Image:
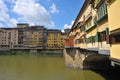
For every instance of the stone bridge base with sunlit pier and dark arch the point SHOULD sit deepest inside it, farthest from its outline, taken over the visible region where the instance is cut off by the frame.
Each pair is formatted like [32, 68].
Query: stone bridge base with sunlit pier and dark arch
[85, 59]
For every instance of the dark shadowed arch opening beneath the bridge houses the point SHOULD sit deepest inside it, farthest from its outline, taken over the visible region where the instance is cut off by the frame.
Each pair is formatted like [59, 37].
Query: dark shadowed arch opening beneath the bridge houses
[96, 61]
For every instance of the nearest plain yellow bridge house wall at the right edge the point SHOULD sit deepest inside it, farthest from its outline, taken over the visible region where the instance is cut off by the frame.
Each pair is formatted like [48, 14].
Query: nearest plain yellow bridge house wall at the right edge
[114, 28]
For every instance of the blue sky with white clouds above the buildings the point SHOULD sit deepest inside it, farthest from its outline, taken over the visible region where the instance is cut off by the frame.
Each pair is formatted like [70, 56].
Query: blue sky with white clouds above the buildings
[53, 14]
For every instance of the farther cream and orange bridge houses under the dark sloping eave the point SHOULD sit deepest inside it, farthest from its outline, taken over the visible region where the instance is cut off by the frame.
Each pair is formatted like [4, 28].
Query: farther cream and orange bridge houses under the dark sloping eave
[85, 27]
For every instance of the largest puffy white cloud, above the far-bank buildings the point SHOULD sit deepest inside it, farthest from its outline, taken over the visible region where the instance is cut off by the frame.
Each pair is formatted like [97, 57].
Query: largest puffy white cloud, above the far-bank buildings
[32, 12]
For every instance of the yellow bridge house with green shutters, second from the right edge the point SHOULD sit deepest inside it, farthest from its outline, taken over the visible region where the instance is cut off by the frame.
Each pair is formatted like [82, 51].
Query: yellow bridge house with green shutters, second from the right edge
[102, 35]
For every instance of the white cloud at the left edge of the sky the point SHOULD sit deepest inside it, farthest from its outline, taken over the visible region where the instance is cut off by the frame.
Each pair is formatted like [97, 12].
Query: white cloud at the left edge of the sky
[5, 17]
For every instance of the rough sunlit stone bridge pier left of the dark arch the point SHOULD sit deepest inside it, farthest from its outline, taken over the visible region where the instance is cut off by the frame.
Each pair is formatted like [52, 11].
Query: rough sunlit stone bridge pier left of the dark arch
[73, 58]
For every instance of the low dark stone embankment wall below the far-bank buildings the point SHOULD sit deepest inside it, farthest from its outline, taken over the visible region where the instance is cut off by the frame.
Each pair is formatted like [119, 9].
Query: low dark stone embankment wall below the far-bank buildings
[56, 52]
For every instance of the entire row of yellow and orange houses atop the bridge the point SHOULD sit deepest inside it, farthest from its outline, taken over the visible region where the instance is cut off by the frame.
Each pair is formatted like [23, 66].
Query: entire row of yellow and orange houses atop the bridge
[96, 28]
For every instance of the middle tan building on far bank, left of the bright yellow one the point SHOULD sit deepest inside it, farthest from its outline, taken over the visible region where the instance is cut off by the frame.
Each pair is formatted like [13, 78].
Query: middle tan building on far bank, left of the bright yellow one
[34, 37]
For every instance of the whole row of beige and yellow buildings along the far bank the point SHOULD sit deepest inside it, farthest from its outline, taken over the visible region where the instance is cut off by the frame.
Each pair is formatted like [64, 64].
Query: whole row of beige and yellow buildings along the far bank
[30, 37]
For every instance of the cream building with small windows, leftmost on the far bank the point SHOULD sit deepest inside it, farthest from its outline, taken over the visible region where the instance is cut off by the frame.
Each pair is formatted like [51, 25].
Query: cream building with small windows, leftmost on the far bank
[9, 37]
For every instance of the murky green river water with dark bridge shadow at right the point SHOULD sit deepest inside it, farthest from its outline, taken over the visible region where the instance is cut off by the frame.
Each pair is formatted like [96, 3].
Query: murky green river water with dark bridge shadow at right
[32, 67]
